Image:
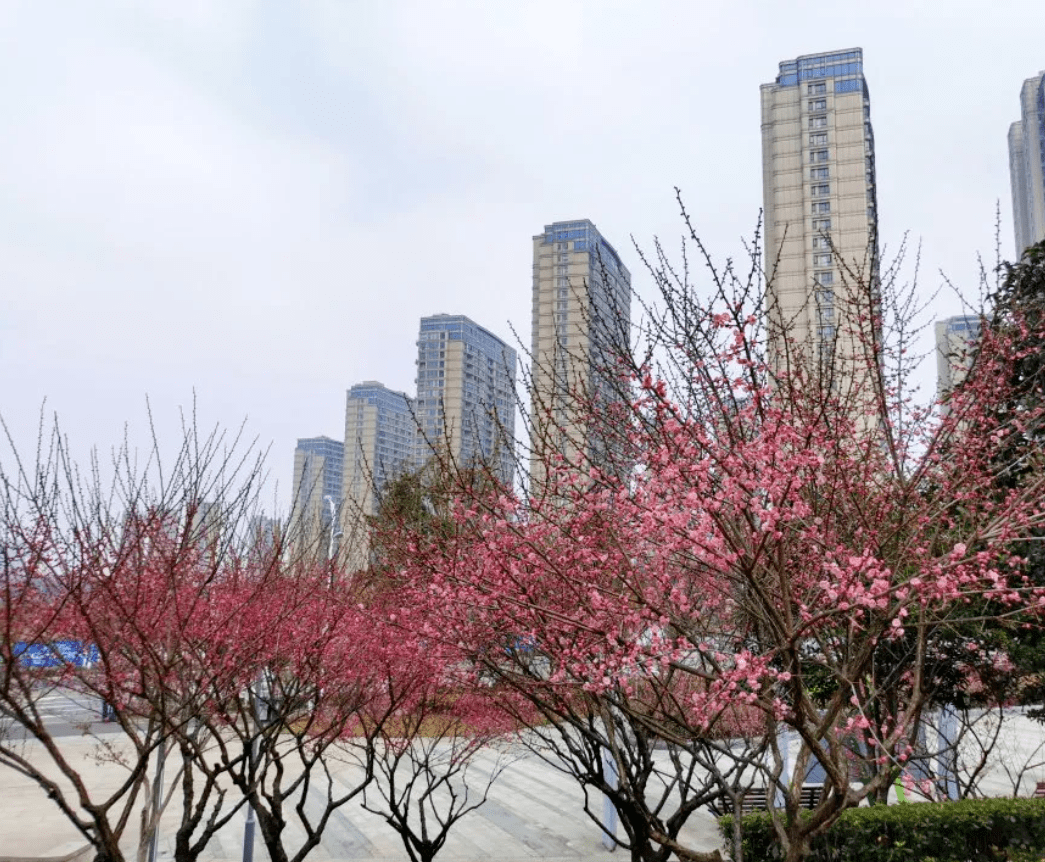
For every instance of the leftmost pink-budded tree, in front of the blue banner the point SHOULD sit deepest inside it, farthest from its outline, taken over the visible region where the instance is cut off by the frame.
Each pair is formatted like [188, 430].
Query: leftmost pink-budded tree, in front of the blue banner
[99, 579]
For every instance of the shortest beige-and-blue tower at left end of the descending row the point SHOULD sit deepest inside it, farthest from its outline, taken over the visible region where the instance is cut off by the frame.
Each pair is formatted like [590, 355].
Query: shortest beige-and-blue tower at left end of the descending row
[318, 468]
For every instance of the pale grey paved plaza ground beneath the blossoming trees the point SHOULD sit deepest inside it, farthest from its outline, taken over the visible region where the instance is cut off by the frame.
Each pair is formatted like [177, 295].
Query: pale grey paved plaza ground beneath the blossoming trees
[535, 812]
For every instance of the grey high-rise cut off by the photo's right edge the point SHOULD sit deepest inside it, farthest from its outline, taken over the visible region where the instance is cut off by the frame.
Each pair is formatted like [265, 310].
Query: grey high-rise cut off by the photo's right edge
[1027, 166]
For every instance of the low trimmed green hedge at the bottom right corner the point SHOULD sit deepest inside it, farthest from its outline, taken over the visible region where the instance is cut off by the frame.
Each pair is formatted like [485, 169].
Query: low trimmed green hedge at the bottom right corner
[944, 832]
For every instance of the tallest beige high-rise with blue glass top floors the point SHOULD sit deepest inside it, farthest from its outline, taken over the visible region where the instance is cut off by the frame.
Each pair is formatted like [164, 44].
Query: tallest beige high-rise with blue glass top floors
[821, 203]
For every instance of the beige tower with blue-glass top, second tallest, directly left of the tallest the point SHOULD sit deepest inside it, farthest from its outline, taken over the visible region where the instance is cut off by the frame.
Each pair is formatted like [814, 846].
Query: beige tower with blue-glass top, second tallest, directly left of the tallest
[582, 316]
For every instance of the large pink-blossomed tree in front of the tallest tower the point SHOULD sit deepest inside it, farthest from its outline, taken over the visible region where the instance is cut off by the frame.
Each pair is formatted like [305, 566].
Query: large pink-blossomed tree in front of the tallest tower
[776, 527]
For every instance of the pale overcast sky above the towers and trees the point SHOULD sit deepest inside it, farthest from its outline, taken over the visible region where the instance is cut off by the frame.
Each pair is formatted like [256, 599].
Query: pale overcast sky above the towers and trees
[258, 201]
